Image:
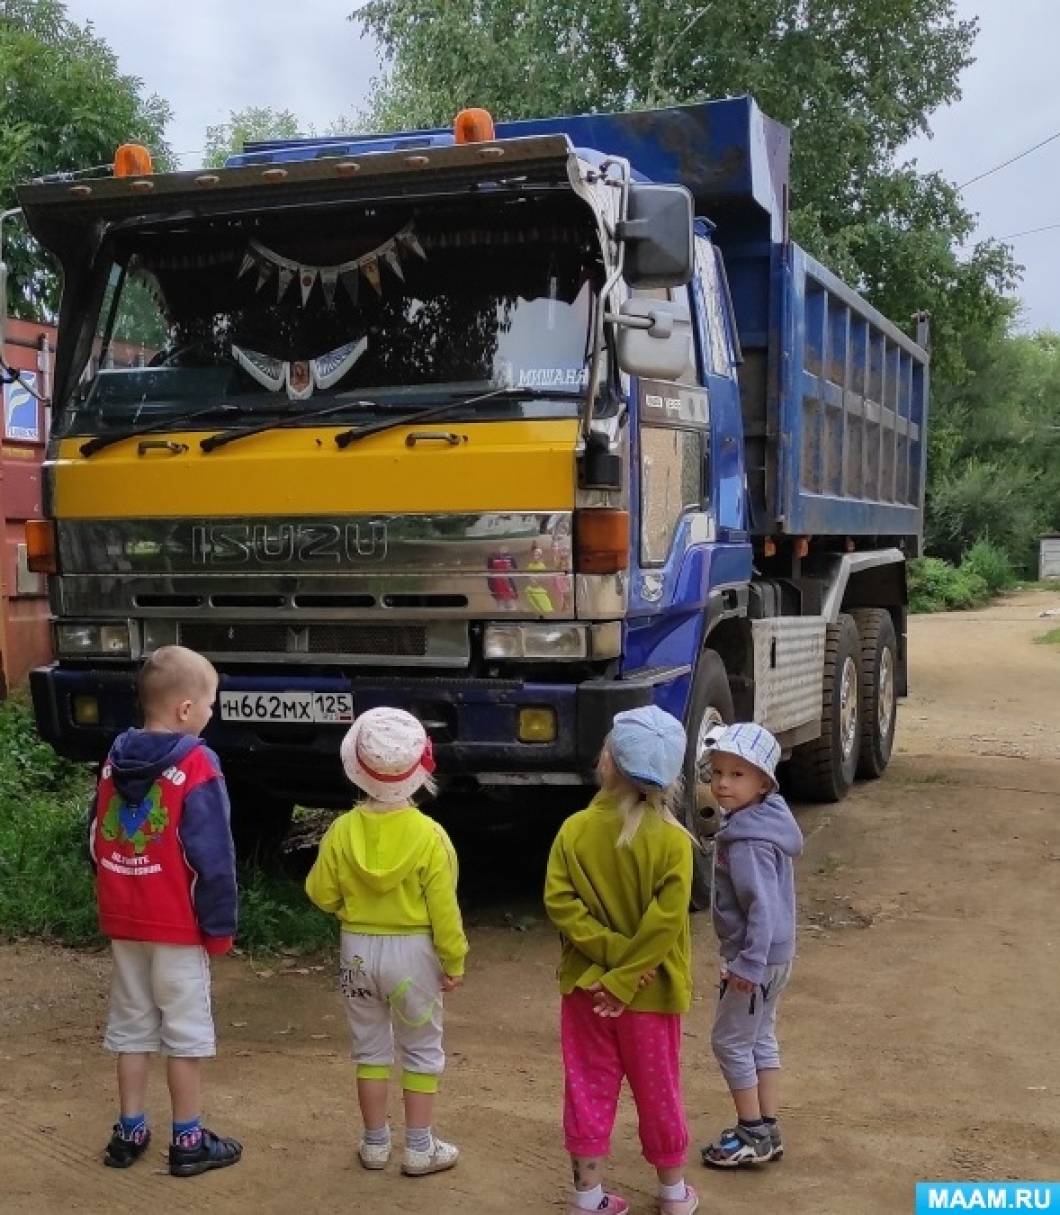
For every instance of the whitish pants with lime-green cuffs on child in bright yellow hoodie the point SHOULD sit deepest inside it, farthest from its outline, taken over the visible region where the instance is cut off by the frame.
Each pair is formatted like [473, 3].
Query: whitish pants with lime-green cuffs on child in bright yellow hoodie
[393, 994]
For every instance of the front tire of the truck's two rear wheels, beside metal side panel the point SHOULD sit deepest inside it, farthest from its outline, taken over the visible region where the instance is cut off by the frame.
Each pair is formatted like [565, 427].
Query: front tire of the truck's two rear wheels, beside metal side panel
[824, 771]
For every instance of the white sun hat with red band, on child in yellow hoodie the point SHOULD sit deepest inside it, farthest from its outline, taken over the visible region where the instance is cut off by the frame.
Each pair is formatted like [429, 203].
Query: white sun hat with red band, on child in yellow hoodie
[388, 755]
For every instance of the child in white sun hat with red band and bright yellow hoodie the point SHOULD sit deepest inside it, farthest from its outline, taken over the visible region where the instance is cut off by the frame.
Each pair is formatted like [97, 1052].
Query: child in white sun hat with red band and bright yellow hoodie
[390, 874]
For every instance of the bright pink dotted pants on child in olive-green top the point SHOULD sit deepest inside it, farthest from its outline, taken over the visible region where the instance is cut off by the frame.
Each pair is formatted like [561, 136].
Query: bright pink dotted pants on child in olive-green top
[597, 1053]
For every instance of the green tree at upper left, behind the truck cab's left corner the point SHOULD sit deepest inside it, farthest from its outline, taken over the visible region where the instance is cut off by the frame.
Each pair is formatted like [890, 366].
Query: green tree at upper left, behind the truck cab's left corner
[65, 108]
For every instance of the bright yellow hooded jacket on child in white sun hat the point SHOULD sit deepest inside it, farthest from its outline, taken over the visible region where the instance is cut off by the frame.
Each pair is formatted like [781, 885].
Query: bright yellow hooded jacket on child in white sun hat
[392, 874]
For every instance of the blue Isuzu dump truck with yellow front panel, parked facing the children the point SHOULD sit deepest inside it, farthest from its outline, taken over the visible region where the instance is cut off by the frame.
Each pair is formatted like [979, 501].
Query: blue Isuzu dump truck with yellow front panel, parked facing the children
[512, 426]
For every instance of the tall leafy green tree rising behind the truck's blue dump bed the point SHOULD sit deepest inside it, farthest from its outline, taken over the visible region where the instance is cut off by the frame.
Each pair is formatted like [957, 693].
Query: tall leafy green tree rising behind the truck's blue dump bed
[854, 81]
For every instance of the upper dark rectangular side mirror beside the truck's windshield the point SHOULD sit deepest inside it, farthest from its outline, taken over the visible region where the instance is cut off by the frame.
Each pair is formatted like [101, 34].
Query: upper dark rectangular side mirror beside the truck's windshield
[658, 236]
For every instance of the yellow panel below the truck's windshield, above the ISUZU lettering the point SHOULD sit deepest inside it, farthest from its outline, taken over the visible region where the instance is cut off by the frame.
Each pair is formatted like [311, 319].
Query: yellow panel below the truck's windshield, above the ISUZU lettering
[495, 466]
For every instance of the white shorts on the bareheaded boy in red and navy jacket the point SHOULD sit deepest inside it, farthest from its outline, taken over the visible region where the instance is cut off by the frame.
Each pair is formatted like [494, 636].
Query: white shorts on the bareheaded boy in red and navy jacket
[160, 1001]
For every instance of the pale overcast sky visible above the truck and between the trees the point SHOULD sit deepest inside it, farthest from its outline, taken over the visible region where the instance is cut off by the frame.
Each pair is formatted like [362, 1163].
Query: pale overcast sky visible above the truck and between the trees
[208, 58]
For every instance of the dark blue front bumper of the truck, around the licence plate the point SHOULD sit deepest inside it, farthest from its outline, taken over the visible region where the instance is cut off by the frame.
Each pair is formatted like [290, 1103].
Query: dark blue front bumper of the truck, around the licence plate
[473, 722]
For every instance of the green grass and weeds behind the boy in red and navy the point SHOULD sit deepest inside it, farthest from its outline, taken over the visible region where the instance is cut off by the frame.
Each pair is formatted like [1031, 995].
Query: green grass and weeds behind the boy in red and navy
[47, 886]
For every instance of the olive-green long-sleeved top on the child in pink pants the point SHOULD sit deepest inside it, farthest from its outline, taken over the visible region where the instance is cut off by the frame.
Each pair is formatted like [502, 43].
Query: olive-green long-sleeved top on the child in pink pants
[623, 912]
